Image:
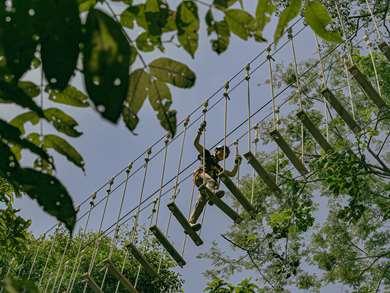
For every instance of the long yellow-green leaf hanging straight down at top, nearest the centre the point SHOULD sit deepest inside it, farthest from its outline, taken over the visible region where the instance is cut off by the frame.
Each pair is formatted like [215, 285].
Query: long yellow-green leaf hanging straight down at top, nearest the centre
[187, 23]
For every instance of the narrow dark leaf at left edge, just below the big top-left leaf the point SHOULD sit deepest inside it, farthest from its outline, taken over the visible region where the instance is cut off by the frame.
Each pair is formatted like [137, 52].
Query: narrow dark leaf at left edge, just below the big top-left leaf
[11, 92]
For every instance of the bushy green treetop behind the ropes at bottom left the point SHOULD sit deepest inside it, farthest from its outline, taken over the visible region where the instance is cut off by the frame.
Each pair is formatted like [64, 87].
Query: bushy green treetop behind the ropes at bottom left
[20, 263]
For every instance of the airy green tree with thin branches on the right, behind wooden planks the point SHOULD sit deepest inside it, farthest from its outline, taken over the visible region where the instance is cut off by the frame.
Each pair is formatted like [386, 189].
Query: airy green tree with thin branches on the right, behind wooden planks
[330, 227]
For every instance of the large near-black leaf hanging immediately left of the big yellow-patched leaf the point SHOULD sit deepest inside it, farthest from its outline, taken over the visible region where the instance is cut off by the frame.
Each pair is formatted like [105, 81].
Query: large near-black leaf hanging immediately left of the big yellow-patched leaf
[60, 37]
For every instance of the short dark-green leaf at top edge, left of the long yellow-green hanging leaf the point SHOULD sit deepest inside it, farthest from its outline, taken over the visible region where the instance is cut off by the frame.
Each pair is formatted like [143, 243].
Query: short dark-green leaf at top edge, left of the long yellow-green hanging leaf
[156, 15]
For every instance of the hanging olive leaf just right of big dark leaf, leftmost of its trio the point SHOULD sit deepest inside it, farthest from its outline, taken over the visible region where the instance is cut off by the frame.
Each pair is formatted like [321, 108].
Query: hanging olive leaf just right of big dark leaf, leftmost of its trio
[138, 91]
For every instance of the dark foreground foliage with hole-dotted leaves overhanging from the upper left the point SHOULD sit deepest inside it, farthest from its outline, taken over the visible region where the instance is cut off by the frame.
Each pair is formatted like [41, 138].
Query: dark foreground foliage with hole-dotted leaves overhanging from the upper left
[60, 39]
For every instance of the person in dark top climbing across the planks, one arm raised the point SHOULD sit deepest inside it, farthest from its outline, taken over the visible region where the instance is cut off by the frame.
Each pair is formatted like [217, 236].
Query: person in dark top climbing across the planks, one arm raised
[207, 174]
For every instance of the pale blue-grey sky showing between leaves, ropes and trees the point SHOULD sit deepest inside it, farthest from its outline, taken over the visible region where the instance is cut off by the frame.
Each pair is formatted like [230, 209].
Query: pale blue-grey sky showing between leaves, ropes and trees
[108, 148]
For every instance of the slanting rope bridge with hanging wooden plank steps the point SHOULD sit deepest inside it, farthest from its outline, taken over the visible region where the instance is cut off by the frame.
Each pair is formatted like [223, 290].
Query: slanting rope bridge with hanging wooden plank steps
[161, 209]
